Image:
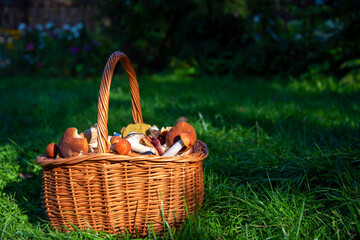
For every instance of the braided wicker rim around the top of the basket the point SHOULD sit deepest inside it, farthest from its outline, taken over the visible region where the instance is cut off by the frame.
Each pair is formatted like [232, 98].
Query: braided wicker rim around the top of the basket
[201, 151]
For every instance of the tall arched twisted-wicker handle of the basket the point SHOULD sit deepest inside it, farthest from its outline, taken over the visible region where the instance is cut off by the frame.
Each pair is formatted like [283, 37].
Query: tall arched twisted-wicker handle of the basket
[103, 104]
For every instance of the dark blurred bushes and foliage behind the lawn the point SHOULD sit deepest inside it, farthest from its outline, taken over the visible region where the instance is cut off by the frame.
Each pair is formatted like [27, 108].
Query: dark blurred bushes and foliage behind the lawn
[264, 37]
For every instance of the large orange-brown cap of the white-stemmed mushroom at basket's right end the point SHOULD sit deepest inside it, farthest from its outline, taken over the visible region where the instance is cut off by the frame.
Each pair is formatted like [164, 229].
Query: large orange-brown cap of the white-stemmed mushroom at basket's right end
[174, 134]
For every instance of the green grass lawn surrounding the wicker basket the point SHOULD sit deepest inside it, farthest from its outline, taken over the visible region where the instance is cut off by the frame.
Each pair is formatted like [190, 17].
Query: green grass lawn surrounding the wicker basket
[284, 155]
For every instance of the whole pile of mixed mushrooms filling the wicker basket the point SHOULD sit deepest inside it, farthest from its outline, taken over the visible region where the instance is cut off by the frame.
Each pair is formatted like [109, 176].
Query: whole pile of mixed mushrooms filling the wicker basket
[140, 138]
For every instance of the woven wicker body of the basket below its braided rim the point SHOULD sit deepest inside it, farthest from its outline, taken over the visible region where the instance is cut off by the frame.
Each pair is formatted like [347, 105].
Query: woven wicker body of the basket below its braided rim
[120, 197]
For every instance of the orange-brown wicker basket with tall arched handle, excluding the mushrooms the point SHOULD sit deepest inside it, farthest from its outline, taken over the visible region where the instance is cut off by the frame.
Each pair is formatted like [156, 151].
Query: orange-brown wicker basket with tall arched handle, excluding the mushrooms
[115, 193]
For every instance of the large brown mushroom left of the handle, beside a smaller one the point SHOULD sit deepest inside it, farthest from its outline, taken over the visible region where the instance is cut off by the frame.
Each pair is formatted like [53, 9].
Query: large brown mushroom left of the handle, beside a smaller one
[72, 144]
